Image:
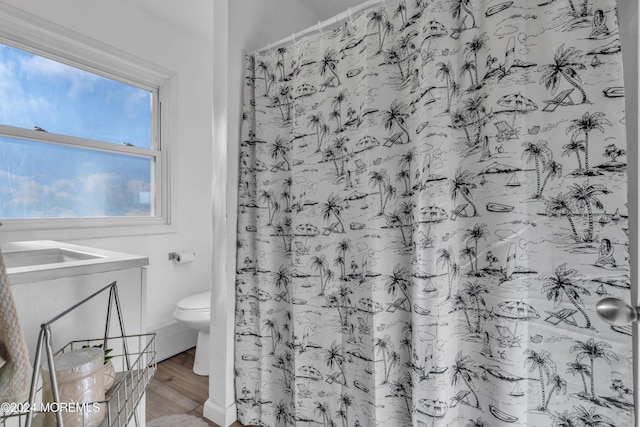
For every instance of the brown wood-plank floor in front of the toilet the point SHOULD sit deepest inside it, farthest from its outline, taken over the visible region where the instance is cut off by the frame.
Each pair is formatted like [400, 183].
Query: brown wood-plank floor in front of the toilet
[175, 389]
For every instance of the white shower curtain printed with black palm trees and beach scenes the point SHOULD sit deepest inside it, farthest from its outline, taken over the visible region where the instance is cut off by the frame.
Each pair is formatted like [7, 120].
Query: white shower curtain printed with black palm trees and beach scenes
[432, 200]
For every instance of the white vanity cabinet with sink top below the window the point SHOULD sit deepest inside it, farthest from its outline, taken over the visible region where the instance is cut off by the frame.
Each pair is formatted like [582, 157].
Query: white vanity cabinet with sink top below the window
[47, 278]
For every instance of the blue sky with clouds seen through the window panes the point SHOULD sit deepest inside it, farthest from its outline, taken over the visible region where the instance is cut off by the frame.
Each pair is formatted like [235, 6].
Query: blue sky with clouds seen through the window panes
[44, 180]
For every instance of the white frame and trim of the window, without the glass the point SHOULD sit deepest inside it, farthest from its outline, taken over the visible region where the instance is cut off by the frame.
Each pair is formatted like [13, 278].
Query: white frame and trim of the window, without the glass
[27, 32]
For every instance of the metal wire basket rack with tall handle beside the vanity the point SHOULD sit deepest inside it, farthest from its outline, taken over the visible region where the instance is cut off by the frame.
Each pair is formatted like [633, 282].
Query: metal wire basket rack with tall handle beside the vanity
[133, 358]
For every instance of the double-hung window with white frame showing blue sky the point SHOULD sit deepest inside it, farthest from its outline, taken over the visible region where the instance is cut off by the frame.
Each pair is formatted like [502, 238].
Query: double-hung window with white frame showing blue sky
[80, 134]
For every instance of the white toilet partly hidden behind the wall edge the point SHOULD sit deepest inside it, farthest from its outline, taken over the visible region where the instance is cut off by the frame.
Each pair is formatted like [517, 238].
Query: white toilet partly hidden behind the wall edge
[195, 312]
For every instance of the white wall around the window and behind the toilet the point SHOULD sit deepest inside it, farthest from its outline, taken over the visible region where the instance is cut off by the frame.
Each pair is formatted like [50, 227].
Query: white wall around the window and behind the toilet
[148, 29]
